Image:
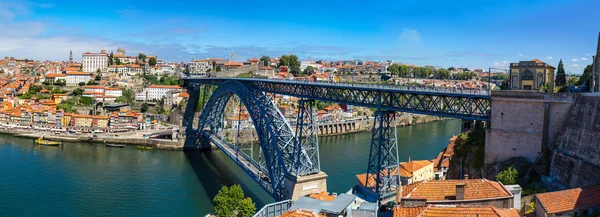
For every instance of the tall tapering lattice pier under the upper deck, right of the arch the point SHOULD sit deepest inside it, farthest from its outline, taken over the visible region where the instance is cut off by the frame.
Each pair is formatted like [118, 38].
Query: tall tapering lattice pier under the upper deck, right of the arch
[382, 172]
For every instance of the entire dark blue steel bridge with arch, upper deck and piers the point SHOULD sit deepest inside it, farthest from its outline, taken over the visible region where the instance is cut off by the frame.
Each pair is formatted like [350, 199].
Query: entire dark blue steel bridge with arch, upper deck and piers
[286, 155]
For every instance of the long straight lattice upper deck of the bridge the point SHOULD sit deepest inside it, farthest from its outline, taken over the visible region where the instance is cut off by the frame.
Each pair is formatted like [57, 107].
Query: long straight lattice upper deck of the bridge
[466, 106]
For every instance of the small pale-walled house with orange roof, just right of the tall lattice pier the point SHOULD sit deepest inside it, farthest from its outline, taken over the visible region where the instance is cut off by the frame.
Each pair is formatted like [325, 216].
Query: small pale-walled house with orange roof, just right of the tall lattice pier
[416, 171]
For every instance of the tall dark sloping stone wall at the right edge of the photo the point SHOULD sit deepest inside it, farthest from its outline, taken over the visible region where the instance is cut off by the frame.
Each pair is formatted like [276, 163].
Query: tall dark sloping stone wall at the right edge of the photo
[575, 159]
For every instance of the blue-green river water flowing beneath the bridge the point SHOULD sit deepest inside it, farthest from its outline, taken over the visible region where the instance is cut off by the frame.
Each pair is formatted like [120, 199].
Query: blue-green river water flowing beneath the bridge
[79, 179]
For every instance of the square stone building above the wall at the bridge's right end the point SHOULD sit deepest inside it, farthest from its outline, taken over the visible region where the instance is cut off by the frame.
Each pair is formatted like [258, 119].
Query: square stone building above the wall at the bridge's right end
[531, 75]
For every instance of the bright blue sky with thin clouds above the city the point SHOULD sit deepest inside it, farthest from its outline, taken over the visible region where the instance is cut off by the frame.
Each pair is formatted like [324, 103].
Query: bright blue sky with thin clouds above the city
[467, 33]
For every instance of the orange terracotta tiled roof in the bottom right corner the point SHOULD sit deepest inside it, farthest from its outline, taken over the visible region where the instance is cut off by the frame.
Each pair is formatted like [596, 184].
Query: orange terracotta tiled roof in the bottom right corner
[577, 198]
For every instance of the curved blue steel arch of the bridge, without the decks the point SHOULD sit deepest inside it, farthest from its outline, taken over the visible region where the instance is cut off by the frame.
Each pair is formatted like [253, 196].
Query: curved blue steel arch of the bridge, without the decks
[281, 149]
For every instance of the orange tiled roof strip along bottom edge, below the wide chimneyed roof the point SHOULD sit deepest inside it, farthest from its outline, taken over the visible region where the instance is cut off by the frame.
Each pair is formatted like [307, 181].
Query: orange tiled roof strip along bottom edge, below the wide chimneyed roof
[453, 211]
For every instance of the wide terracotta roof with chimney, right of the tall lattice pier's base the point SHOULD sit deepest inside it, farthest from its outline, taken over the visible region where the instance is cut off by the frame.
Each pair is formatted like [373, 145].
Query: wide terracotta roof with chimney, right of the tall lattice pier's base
[436, 190]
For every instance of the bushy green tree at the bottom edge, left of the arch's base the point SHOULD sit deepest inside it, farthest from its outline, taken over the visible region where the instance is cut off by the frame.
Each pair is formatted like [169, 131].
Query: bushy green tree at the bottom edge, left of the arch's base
[230, 202]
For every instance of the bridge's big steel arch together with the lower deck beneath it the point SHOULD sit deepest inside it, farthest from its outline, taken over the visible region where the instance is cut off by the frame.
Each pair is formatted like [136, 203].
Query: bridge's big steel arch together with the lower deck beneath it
[284, 156]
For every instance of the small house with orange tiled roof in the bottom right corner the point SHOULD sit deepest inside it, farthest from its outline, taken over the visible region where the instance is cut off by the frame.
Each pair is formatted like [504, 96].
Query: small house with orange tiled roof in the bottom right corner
[571, 202]
